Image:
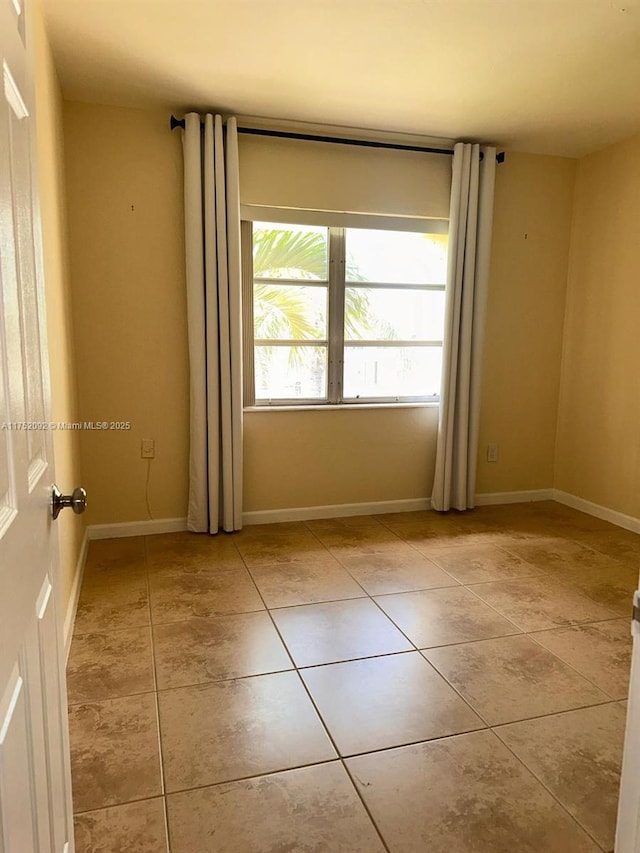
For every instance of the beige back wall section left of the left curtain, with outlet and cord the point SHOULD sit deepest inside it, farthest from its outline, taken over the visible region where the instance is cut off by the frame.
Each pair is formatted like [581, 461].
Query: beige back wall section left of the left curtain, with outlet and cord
[124, 185]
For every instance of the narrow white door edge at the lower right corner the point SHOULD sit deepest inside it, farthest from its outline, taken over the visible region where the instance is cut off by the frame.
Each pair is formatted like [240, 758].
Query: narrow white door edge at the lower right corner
[628, 831]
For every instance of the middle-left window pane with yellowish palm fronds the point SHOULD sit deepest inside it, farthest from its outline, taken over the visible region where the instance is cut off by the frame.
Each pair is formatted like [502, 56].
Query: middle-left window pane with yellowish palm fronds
[289, 312]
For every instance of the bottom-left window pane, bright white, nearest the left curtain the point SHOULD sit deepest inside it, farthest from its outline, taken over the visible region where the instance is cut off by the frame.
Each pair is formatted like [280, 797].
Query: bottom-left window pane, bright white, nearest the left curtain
[288, 373]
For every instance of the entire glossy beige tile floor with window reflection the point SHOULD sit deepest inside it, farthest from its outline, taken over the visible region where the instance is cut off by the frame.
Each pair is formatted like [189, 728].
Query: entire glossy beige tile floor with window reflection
[403, 683]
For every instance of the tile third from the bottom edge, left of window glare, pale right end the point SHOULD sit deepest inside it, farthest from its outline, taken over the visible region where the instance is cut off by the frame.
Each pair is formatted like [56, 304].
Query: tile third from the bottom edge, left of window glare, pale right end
[201, 650]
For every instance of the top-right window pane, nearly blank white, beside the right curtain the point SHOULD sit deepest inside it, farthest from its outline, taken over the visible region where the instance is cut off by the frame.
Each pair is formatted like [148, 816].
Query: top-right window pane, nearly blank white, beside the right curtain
[400, 257]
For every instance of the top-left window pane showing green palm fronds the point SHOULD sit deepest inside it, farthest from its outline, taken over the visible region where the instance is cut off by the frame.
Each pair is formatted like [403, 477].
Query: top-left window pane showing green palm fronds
[289, 251]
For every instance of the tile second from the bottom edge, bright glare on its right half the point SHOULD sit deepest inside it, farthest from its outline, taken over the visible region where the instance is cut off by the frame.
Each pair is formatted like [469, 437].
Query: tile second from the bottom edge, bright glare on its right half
[233, 729]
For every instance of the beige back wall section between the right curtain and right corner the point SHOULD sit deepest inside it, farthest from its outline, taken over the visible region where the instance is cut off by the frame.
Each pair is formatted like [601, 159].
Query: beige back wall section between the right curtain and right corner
[521, 369]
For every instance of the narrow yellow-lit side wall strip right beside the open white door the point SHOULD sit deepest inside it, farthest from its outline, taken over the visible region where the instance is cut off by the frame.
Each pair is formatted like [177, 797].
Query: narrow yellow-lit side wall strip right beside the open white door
[60, 333]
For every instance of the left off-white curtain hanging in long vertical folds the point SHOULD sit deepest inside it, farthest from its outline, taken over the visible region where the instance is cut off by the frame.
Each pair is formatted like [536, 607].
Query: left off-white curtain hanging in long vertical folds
[212, 245]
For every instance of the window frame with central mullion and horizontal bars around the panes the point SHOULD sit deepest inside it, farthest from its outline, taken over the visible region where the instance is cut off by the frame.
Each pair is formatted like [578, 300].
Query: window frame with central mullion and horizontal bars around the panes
[336, 224]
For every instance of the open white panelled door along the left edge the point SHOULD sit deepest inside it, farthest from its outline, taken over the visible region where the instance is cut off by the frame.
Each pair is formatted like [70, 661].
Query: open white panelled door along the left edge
[35, 790]
